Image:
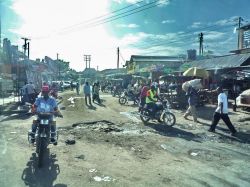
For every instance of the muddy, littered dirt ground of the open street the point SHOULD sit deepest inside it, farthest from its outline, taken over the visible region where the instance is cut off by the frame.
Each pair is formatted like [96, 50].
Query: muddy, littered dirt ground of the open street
[113, 148]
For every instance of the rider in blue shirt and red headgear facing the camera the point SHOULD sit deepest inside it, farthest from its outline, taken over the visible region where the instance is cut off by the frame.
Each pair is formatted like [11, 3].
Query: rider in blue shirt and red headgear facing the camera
[45, 103]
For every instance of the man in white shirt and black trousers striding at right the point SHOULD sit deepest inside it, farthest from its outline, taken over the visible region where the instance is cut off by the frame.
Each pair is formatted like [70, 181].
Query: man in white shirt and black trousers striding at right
[222, 112]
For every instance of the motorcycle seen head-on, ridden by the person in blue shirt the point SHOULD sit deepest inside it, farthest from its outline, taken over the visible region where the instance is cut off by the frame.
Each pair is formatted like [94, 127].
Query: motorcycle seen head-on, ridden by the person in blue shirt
[43, 135]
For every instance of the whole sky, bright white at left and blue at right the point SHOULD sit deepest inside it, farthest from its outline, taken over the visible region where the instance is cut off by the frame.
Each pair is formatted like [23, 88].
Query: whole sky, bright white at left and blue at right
[97, 27]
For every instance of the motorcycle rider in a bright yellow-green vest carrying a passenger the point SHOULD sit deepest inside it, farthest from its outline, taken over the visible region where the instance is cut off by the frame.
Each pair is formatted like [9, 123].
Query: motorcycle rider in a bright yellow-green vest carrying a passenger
[151, 99]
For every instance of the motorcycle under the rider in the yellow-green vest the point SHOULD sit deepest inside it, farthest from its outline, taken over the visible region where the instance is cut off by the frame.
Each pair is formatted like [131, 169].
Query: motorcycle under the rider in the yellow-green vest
[162, 114]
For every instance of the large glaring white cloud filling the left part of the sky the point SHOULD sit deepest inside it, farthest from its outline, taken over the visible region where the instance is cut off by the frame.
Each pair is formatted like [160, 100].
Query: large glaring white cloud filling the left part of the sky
[44, 21]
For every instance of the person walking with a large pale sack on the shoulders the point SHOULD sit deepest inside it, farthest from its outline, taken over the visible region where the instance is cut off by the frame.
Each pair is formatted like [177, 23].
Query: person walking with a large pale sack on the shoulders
[192, 102]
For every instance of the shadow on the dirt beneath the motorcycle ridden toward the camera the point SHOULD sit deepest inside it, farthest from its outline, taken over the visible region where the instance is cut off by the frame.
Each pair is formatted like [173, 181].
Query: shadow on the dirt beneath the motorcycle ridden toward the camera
[45, 176]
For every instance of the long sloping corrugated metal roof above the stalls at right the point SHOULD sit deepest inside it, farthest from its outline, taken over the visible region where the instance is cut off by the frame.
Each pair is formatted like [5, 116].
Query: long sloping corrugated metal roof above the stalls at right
[222, 62]
